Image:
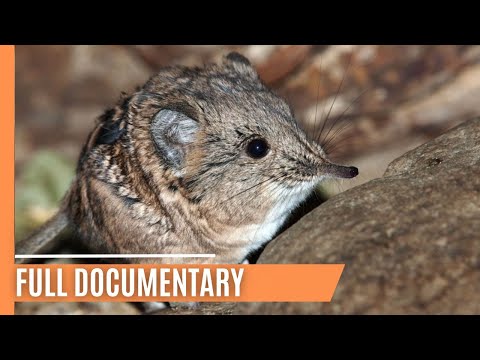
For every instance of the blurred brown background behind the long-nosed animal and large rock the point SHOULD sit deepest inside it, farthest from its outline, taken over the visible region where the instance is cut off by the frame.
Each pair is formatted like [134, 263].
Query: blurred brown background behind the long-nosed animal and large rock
[386, 101]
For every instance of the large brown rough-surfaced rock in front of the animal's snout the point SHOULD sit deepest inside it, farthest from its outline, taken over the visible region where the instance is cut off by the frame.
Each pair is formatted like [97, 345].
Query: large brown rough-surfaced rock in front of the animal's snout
[410, 240]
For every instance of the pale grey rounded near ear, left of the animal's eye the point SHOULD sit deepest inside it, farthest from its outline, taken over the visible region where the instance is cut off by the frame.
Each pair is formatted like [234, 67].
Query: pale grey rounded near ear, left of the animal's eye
[172, 132]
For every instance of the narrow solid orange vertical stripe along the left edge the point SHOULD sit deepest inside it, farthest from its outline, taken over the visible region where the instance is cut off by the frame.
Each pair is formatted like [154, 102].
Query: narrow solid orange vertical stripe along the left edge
[7, 134]
